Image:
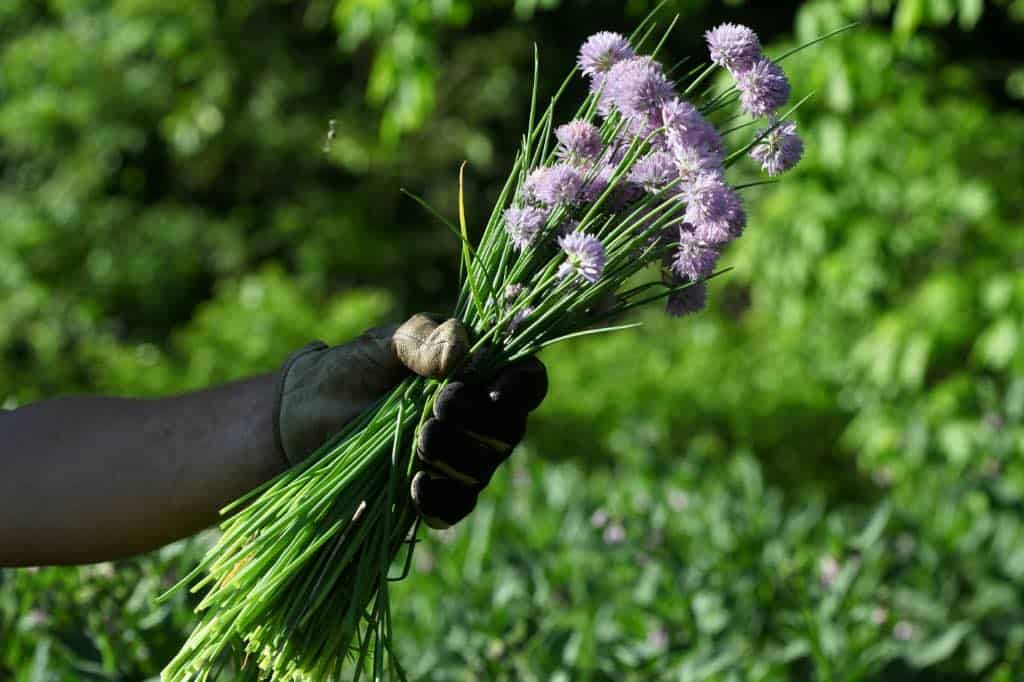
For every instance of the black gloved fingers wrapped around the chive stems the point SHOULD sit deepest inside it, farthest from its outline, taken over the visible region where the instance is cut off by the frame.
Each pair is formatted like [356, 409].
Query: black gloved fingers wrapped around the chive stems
[475, 429]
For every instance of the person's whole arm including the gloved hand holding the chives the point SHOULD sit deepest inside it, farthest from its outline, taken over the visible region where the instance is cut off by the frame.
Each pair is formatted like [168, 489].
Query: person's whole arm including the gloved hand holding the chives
[90, 479]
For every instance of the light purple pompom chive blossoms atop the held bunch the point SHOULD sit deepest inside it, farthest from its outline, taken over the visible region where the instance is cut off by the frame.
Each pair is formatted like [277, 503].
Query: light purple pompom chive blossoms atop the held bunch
[679, 155]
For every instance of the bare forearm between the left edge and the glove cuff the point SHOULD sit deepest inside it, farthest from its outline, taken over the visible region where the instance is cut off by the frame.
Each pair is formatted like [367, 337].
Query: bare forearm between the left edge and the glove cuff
[91, 479]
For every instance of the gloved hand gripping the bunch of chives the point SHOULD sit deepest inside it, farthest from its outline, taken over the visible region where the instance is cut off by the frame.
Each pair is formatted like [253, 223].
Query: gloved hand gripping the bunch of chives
[322, 389]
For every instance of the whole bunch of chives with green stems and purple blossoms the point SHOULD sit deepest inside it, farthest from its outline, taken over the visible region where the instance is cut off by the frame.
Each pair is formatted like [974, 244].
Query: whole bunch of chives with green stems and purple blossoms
[635, 183]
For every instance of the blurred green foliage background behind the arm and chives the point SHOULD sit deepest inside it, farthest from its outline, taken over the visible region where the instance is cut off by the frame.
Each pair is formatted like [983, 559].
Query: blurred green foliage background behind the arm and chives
[819, 479]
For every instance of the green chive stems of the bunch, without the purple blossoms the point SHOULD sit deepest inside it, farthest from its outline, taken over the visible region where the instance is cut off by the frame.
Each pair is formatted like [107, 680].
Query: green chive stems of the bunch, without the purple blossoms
[297, 586]
